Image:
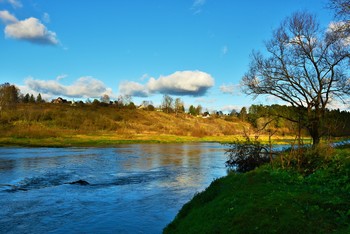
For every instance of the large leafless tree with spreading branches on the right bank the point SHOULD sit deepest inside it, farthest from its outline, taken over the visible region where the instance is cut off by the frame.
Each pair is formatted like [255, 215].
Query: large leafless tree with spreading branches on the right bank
[304, 67]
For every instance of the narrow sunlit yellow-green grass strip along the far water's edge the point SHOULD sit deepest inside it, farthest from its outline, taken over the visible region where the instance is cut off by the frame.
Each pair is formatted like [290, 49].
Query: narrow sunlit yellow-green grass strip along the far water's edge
[108, 140]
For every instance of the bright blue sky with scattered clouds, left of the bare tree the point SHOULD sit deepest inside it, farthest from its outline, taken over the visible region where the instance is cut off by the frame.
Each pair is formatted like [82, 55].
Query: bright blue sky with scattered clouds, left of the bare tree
[196, 50]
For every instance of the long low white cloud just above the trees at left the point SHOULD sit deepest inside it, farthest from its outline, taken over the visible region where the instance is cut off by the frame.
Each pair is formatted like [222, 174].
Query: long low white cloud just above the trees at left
[84, 87]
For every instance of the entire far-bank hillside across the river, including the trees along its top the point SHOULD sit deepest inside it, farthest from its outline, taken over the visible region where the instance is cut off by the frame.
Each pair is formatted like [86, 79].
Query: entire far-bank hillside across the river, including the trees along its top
[26, 116]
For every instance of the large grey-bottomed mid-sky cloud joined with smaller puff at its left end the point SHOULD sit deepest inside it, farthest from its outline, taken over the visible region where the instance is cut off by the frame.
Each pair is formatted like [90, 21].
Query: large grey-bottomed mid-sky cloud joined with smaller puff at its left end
[180, 83]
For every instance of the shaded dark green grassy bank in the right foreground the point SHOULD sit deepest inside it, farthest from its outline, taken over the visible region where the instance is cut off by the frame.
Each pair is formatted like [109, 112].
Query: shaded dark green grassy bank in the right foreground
[270, 200]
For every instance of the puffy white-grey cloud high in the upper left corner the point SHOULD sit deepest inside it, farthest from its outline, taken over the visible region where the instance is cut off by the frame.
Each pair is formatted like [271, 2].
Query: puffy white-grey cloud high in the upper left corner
[30, 29]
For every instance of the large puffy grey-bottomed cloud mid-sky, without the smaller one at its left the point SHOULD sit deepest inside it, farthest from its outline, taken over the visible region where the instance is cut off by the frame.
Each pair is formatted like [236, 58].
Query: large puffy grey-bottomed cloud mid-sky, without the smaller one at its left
[193, 83]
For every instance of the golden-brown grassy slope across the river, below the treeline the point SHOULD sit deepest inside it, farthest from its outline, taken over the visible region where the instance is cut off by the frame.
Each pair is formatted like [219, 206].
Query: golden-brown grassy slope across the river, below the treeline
[54, 121]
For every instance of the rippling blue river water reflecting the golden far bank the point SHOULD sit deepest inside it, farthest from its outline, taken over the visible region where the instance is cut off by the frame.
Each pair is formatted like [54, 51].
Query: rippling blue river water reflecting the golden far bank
[137, 188]
